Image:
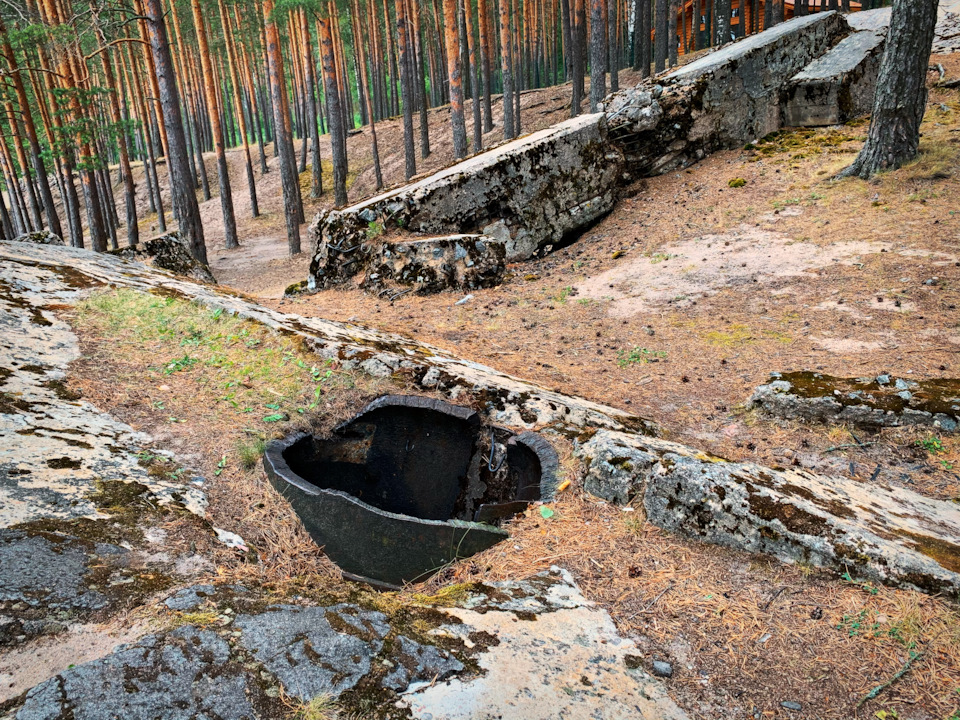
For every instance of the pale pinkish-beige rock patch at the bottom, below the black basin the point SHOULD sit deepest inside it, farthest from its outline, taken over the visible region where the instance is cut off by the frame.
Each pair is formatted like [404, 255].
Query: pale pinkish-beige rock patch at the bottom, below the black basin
[569, 662]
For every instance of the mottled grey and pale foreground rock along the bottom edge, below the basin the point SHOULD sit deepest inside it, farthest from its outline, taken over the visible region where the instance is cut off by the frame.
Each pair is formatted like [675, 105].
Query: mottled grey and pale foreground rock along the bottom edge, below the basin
[521, 650]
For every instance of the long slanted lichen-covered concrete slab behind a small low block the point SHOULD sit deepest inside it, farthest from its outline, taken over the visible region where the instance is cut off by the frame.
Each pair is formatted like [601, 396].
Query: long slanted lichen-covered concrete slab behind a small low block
[530, 193]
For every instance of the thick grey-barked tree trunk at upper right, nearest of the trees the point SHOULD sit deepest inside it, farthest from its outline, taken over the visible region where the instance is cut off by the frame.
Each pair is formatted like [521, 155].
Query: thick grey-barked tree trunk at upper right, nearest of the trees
[901, 98]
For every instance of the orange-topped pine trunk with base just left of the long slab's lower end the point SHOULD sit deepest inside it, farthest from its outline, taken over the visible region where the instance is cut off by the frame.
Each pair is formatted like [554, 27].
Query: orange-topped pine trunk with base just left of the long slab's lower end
[283, 140]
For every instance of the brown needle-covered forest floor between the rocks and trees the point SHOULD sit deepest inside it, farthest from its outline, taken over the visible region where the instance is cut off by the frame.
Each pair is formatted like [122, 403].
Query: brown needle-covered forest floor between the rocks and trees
[674, 307]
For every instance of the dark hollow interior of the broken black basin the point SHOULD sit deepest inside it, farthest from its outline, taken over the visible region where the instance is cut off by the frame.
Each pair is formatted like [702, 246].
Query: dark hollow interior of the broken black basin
[426, 462]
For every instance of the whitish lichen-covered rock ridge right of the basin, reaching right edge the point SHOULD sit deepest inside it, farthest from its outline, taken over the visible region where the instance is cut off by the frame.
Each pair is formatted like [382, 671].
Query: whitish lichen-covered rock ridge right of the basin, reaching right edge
[874, 532]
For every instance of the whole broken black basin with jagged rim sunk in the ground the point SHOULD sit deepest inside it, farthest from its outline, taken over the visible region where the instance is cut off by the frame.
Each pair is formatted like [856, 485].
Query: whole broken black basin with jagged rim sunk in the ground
[409, 485]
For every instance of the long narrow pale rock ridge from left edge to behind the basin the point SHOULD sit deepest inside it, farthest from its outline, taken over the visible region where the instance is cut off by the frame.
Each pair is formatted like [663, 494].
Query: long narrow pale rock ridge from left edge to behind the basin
[64, 273]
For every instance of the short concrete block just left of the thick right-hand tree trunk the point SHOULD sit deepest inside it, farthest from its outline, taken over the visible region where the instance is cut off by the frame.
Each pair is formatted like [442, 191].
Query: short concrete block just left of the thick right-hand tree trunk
[840, 85]
